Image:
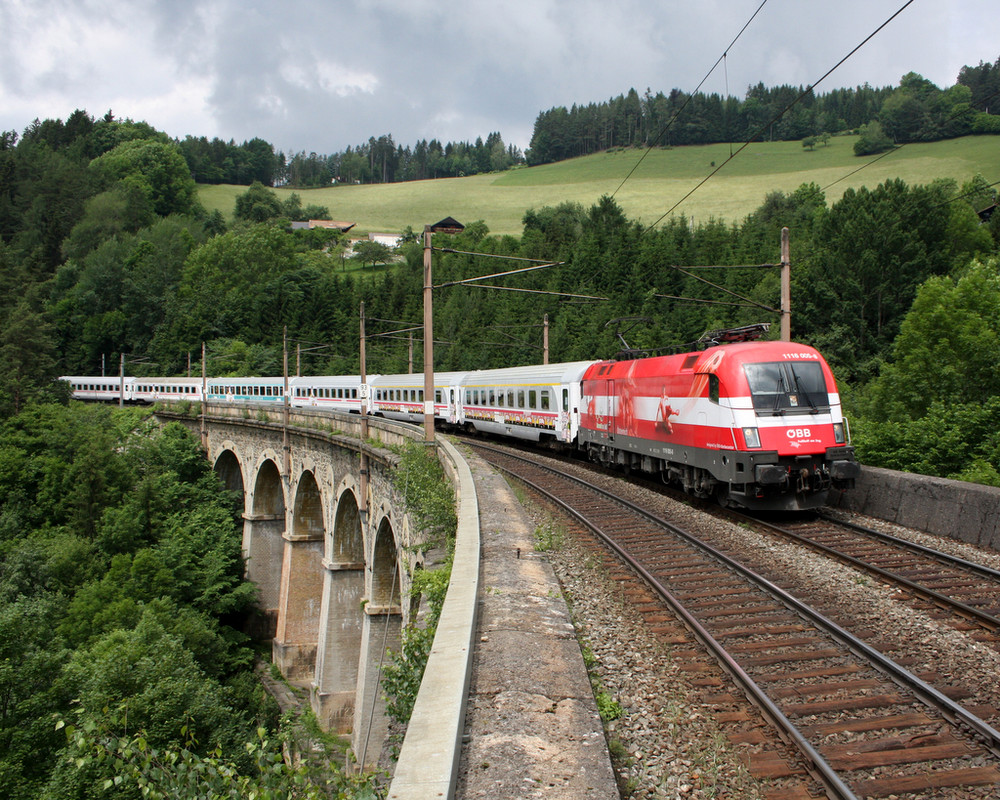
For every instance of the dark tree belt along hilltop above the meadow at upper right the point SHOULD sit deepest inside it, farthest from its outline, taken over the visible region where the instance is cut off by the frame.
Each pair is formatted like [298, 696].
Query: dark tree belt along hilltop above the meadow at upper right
[916, 110]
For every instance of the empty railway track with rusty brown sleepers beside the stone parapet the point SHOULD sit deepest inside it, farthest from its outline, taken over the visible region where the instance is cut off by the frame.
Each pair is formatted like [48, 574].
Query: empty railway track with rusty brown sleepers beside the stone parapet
[864, 726]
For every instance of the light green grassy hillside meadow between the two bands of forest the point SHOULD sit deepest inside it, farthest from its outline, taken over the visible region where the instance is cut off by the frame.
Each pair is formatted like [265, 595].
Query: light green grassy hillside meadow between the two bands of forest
[663, 178]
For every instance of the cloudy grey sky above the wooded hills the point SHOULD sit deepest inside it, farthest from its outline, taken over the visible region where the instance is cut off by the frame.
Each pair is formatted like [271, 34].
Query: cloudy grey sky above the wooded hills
[321, 76]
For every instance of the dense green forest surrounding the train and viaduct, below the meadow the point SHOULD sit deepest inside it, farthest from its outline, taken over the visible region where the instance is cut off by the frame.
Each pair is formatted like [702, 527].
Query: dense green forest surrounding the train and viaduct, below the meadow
[121, 592]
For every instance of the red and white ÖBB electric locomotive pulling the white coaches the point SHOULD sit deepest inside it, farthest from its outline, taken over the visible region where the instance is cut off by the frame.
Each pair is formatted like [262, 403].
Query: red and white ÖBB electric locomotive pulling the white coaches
[755, 424]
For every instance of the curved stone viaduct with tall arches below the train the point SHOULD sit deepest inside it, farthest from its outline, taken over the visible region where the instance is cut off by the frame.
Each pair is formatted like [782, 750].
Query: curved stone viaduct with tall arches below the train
[329, 544]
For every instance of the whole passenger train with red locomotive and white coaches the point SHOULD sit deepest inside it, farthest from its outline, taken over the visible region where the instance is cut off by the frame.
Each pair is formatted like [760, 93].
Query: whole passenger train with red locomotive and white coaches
[748, 423]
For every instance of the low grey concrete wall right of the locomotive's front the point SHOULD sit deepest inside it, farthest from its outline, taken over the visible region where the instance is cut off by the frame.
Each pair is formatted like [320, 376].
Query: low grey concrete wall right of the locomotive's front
[965, 511]
